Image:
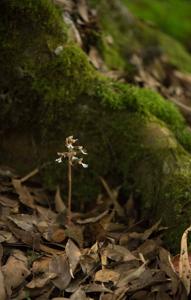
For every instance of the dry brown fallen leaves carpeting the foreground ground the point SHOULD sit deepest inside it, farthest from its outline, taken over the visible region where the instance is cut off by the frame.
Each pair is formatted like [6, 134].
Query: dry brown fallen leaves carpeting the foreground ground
[101, 255]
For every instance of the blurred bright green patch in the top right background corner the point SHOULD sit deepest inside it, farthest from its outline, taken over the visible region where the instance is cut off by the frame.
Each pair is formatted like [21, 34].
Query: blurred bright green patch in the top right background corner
[173, 17]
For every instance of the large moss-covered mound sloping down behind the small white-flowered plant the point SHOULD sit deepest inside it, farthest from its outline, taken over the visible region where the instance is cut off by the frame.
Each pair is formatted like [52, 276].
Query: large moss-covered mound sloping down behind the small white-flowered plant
[134, 137]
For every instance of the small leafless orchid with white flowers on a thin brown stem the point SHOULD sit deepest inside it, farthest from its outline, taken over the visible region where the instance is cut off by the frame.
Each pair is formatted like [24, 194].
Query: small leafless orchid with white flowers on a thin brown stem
[72, 156]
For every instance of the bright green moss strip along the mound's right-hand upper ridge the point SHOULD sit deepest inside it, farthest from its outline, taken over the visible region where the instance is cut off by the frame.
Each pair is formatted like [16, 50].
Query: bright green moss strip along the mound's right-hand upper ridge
[145, 102]
